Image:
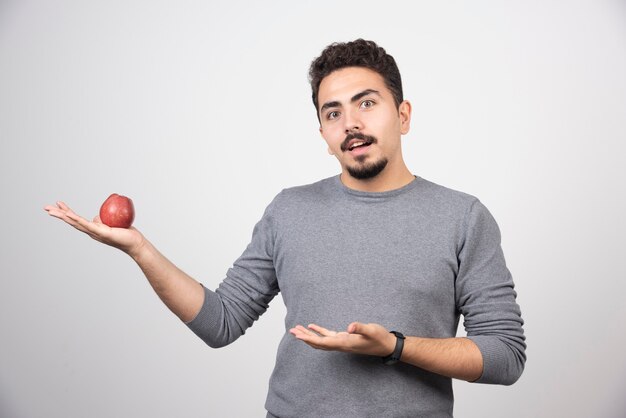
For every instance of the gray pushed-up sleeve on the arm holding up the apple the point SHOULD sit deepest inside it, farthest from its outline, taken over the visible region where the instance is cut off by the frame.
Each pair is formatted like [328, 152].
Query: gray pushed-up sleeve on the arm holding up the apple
[244, 294]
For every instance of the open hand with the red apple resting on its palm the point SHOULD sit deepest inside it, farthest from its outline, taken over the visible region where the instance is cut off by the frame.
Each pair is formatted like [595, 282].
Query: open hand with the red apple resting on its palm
[128, 240]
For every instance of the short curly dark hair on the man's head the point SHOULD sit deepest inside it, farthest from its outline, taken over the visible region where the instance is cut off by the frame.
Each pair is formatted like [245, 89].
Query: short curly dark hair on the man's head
[358, 53]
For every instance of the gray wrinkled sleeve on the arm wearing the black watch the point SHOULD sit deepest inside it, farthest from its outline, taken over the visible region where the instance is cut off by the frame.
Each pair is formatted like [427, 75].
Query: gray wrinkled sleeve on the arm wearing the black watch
[487, 299]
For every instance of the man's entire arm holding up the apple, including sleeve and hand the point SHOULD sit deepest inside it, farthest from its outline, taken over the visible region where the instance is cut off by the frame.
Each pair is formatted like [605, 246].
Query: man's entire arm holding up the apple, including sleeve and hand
[217, 317]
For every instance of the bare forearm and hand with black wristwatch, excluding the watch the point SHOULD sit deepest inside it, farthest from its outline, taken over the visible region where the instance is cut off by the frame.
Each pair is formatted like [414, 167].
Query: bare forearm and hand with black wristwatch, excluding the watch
[459, 358]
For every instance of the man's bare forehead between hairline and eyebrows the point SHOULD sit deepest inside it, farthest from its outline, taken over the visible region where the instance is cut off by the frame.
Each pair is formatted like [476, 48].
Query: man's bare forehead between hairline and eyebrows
[341, 84]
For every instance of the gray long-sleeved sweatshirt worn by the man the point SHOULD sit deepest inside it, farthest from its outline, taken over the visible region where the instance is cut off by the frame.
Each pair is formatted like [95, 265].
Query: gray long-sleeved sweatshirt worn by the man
[412, 259]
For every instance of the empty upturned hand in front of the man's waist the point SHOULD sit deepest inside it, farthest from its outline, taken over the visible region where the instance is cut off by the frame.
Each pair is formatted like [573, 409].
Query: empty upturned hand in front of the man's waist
[370, 339]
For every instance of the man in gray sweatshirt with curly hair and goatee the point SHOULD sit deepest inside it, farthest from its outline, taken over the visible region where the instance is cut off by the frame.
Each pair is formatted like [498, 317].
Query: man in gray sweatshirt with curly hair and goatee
[372, 250]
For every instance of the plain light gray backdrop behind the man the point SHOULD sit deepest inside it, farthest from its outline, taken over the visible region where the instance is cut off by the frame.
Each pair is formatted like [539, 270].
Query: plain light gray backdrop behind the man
[200, 111]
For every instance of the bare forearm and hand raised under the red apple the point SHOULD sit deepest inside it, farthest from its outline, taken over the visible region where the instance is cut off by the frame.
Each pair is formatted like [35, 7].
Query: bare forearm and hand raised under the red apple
[181, 294]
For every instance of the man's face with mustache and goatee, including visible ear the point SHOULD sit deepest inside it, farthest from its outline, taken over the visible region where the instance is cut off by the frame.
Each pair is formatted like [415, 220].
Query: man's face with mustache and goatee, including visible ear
[361, 123]
